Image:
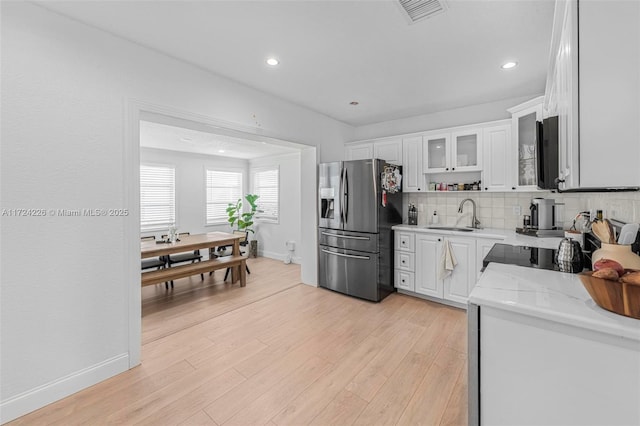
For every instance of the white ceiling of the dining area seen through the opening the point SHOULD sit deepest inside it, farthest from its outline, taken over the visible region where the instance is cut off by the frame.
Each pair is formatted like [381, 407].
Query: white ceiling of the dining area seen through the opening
[173, 138]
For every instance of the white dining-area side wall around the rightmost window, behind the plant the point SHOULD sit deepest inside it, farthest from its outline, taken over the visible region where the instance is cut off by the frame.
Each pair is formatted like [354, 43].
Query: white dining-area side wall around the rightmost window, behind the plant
[273, 236]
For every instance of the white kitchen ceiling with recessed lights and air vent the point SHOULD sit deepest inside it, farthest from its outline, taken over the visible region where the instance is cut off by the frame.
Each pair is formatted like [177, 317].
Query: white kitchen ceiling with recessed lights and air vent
[334, 52]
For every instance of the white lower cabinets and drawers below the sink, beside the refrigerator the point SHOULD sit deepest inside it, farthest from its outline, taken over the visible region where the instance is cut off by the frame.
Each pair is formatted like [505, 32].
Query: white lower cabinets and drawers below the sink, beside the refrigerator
[419, 272]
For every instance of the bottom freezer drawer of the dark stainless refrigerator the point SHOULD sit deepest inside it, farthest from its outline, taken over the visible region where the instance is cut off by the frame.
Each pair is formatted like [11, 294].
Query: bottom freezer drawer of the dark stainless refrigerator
[350, 272]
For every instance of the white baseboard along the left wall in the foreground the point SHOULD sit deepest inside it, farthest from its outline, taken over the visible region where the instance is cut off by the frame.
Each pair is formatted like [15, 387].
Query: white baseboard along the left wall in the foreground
[40, 396]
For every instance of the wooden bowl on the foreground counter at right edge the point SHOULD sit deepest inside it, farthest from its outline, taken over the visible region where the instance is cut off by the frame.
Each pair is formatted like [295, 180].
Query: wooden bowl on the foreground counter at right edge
[615, 296]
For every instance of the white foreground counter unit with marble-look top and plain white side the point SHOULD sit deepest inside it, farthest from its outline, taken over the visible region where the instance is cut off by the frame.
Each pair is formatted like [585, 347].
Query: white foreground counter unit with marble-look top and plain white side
[542, 352]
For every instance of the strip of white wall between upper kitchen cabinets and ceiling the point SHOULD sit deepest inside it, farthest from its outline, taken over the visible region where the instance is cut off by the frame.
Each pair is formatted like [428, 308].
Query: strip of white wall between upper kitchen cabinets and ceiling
[440, 120]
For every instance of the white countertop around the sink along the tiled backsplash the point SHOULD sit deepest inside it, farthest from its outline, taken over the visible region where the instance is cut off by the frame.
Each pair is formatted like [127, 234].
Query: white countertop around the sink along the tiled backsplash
[508, 236]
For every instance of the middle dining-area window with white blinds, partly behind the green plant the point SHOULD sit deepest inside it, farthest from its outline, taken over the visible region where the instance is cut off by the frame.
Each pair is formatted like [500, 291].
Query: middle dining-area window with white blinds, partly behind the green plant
[223, 187]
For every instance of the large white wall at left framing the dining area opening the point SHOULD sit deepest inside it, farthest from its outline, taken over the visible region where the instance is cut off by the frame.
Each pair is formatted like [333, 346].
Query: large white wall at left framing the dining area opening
[66, 88]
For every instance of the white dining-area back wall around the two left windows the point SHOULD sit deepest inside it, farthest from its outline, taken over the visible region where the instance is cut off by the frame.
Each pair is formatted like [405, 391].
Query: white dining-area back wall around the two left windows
[190, 185]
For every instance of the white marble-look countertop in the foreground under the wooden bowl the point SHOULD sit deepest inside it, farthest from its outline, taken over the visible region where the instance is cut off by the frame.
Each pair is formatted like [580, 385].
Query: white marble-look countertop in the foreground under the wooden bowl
[550, 295]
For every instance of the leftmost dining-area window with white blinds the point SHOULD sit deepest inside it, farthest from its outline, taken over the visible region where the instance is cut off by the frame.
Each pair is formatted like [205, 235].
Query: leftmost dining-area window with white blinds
[157, 197]
